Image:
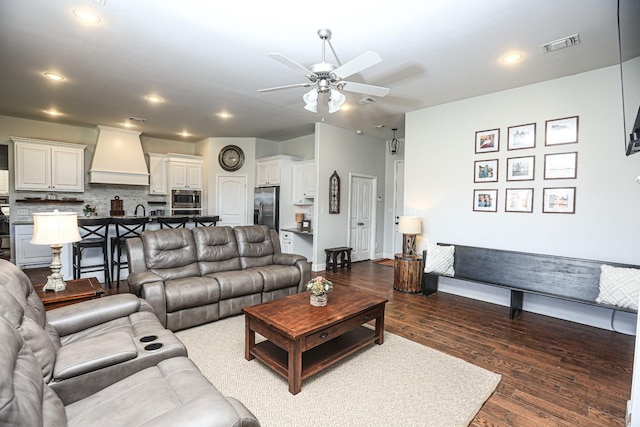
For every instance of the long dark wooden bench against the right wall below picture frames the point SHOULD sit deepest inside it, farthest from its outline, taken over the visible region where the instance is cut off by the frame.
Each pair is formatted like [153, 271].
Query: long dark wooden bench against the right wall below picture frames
[570, 279]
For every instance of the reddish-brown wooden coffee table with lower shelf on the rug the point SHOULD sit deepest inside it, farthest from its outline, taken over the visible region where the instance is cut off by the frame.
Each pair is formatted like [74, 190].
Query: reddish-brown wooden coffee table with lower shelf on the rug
[302, 340]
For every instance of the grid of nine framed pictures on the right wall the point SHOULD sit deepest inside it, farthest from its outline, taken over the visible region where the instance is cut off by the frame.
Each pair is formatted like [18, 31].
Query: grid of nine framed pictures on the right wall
[517, 165]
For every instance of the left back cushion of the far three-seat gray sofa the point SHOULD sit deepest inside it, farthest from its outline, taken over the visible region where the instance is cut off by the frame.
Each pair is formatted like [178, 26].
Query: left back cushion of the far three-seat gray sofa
[170, 253]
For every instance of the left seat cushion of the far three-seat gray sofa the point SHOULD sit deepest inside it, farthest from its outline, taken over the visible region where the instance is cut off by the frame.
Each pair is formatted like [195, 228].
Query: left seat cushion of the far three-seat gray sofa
[191, 292]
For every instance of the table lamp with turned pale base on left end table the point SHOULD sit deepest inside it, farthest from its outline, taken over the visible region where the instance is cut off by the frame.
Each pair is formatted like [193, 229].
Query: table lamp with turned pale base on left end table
[55, 229]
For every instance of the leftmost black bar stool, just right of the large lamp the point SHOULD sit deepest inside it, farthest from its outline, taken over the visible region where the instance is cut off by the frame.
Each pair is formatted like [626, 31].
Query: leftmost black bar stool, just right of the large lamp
[94, 233]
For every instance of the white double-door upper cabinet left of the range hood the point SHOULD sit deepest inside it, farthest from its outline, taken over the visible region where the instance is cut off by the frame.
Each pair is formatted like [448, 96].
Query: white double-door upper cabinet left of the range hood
[48, 165]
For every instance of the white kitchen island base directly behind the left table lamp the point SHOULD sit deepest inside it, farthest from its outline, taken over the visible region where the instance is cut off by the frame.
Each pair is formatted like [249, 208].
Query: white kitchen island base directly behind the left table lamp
[32, 256]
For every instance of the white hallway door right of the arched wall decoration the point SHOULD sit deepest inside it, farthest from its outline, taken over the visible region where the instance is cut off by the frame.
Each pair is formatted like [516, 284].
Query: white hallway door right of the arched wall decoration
[362, 217]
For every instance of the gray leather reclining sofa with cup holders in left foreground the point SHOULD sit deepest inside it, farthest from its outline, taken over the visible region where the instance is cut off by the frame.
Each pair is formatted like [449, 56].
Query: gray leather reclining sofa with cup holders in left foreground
[153, 388]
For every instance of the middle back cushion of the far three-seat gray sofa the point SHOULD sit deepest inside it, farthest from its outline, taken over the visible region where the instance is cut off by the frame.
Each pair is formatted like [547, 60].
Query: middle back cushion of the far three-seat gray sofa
[217, 249]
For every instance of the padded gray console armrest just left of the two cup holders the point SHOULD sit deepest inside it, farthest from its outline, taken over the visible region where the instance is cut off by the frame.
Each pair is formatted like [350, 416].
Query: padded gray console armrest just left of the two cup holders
[91, 354]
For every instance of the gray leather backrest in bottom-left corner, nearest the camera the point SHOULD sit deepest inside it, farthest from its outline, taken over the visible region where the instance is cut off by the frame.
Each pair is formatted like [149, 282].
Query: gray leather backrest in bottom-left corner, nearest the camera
[25, 399]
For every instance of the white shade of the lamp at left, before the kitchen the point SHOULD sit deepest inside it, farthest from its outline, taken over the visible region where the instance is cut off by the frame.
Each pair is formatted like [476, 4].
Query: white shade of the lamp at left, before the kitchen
[55, 228]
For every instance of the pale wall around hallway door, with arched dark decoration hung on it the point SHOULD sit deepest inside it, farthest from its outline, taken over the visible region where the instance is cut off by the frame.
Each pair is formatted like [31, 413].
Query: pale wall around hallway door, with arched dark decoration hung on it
[345, 152]
